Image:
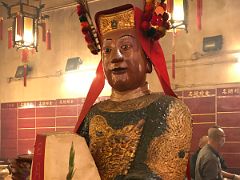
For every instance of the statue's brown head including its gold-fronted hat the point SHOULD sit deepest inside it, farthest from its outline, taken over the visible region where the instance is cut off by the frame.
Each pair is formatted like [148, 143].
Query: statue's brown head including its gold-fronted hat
[124, 62]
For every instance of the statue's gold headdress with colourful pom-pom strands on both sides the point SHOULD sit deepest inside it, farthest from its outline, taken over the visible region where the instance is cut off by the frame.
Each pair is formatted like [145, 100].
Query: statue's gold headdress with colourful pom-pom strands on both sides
[154, 21]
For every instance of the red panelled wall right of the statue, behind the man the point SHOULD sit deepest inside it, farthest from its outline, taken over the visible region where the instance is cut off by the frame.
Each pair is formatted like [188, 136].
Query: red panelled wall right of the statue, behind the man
[221, 107]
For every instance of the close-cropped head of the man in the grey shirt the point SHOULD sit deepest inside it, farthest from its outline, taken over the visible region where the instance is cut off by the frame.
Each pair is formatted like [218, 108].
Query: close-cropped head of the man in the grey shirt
[216, 136]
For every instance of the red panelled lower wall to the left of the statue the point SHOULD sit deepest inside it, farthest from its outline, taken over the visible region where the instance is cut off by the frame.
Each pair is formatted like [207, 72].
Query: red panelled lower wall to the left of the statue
[21, 121]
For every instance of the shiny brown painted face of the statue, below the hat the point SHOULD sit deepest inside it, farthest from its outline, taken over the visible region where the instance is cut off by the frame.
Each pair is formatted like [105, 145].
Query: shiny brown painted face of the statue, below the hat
[124, 62]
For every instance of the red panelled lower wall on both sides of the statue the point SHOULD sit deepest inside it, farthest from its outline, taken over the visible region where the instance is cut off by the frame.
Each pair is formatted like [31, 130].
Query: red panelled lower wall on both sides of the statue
[219, 106]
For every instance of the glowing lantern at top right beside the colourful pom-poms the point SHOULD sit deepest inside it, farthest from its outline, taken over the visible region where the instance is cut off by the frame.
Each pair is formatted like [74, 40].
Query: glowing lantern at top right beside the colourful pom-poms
[178, 13]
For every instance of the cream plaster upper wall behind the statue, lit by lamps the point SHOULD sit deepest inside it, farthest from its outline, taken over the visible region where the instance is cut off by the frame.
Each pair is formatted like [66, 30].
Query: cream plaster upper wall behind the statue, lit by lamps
[220, 17]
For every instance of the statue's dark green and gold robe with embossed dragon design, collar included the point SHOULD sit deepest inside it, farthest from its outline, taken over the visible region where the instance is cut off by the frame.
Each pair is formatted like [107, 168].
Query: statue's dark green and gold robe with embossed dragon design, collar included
[144, 138]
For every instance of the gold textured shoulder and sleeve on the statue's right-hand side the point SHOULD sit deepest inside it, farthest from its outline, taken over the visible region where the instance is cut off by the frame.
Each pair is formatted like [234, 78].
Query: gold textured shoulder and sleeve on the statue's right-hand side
[168, 153]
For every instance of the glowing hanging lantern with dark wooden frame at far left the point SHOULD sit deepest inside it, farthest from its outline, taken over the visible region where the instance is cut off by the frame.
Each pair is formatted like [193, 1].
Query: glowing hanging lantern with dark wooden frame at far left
[25, 24]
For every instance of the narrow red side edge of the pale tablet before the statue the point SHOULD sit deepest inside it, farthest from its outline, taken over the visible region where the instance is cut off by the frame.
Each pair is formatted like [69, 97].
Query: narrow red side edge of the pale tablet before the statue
[38, 158]
